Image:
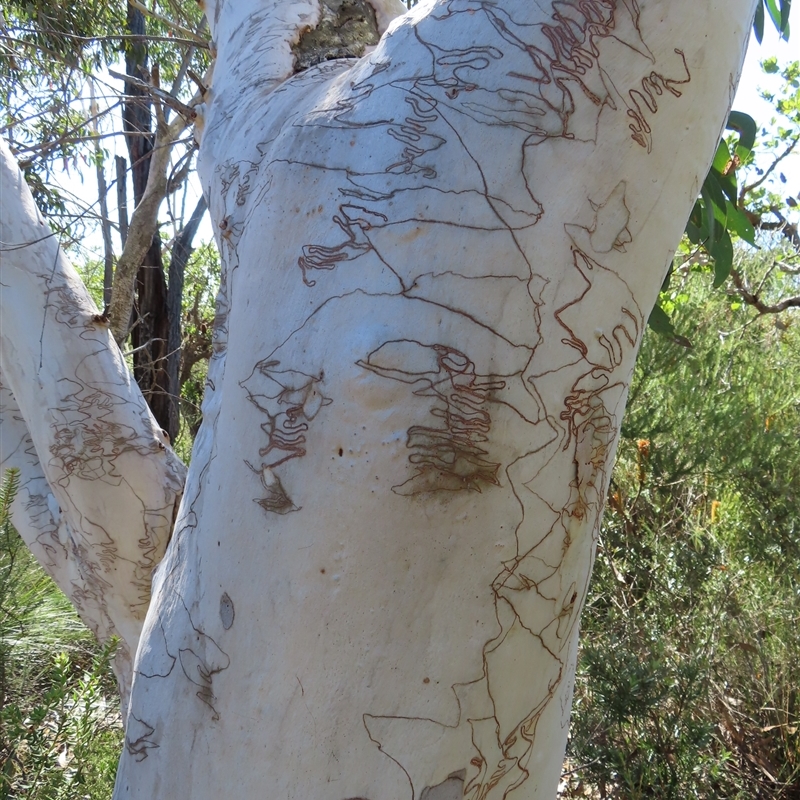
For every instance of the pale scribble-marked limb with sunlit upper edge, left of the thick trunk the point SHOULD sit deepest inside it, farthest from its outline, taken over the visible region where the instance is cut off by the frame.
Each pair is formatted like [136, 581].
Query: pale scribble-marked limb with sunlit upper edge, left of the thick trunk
[99, 487]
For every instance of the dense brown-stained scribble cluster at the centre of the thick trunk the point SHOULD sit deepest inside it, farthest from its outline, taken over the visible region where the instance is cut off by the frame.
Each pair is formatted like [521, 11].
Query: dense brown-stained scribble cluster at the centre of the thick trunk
[452, 456]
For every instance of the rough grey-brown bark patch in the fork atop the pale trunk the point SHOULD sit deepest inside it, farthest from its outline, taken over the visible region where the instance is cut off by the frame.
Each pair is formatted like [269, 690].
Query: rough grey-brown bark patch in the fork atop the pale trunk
[345, 28]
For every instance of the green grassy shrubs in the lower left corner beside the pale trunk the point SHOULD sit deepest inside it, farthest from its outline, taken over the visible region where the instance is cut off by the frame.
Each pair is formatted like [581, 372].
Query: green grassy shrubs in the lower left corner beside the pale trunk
[60, 731]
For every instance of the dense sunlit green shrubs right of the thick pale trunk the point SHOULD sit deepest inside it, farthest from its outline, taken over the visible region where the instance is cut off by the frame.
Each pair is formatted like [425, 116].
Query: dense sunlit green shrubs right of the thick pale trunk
[687, 684]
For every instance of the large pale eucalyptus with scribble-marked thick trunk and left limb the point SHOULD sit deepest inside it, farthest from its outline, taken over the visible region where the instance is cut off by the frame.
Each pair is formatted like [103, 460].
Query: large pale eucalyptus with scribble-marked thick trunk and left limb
[438, 261]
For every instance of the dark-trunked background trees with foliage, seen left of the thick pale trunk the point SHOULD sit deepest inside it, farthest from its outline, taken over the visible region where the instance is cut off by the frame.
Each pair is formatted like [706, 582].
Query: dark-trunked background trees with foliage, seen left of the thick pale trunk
[62, 103]
